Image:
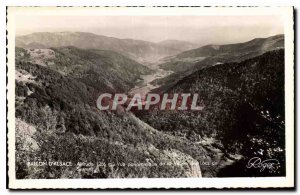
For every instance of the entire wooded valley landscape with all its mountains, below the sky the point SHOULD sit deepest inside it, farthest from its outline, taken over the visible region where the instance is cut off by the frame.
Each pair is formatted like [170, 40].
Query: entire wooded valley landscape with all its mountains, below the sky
[60, 75]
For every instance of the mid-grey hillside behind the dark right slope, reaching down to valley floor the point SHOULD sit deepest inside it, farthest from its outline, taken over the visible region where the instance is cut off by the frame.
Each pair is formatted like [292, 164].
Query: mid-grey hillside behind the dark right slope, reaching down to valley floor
[190, 61]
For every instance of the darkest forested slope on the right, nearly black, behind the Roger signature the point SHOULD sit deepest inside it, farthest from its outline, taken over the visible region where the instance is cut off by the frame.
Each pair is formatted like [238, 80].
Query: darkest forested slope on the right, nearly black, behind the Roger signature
[243, 108]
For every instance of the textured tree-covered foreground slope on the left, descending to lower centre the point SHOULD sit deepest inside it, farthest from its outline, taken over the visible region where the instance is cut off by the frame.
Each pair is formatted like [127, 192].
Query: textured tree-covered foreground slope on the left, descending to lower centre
[57, 120]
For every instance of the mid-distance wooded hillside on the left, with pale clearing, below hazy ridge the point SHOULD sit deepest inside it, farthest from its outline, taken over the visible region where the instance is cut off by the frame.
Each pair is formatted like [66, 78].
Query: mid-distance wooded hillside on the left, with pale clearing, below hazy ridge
[97, 68]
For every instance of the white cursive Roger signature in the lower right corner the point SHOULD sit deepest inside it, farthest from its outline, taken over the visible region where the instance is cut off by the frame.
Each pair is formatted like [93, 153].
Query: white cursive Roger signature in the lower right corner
[270, 164]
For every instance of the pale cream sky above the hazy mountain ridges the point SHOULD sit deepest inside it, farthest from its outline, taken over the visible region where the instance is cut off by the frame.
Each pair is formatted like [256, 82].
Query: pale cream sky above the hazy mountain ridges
[197, 29]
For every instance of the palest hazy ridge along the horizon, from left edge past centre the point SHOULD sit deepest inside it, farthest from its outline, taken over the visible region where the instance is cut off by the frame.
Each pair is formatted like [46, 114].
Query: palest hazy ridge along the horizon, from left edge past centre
[141, 51]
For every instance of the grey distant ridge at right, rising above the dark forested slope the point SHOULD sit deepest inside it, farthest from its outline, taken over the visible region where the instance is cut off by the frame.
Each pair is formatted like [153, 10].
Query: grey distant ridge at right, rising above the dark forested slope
[224, 53]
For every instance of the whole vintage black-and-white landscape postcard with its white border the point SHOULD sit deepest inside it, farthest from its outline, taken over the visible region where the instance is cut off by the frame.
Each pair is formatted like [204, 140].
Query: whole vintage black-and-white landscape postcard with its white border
[98, 94]
